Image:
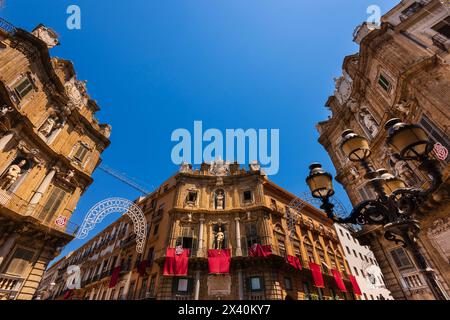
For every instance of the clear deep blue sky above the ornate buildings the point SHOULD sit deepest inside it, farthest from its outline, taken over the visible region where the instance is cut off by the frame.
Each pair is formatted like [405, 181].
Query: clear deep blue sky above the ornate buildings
[155, 66]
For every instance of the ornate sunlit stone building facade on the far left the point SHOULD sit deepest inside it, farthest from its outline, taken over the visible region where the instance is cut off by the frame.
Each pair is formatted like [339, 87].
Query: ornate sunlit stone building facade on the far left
[50, 143]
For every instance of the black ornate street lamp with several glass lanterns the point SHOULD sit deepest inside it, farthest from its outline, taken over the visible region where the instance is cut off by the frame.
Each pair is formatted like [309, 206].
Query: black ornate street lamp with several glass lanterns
[395, 205]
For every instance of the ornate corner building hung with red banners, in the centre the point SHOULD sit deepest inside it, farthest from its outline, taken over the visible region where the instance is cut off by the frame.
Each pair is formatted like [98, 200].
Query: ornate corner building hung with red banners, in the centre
[222, 209]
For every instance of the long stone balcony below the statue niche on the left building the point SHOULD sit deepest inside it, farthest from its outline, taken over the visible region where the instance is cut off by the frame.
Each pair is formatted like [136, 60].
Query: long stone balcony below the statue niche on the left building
[16, 204]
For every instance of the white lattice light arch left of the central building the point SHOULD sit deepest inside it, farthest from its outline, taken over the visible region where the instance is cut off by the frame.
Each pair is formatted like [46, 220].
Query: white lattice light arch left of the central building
[116, 205]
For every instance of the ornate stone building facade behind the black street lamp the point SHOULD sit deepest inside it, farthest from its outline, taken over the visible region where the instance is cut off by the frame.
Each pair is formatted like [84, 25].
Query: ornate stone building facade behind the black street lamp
[401, 71]
